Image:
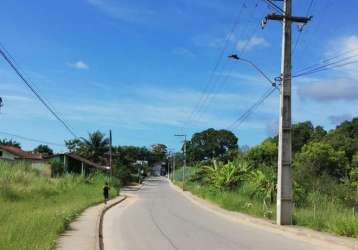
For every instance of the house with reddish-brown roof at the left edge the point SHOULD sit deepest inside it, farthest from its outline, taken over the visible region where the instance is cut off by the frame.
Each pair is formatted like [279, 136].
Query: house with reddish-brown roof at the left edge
[12, 153]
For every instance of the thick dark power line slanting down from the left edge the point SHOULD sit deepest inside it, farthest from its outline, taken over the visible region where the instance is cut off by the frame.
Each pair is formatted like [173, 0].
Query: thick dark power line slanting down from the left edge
[41, 99]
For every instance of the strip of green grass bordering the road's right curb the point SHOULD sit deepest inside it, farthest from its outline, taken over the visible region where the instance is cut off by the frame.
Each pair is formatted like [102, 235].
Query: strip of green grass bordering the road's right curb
[321, 213]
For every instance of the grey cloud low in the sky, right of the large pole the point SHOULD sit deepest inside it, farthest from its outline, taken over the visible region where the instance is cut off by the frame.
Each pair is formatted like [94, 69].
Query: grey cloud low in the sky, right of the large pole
[329, 90]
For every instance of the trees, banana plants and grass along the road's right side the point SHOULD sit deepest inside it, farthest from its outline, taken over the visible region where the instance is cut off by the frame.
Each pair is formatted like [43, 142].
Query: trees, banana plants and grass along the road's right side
[325, 175]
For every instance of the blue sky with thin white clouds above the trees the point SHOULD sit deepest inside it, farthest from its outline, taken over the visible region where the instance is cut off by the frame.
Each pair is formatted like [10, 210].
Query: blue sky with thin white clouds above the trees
[141, 67]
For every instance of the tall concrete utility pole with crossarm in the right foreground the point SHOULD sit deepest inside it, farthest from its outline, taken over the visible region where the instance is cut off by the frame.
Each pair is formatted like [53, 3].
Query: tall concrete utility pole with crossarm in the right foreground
[284, 181]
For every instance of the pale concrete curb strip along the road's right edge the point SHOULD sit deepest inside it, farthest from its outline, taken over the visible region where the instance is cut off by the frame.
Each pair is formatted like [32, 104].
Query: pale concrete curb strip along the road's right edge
[331, 241]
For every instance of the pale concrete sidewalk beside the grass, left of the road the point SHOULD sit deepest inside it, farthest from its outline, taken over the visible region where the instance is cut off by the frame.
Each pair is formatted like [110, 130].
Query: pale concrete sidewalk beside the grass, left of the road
[84, 231]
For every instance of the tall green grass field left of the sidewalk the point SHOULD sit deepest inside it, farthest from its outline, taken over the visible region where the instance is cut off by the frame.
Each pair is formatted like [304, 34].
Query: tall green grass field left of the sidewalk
[35, 209]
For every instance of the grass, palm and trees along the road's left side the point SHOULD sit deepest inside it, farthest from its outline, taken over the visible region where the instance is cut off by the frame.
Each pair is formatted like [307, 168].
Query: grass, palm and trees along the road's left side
[36, 206]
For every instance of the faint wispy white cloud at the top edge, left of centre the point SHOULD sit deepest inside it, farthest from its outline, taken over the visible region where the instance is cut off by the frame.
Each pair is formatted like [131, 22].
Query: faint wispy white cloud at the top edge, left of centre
[126, 14]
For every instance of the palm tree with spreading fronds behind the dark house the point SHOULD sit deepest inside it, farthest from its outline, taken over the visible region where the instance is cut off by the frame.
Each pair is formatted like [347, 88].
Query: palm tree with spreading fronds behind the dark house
[95, 147]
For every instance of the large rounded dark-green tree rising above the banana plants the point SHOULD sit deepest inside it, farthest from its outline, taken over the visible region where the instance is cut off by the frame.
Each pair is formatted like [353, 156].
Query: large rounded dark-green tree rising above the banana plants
[210, 144]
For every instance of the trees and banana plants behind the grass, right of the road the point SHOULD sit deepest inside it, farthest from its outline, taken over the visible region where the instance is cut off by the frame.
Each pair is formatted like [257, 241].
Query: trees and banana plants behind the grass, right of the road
[325, 163]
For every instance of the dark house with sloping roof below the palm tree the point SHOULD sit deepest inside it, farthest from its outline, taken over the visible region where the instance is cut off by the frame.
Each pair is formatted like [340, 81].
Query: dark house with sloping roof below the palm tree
[74, 163]
